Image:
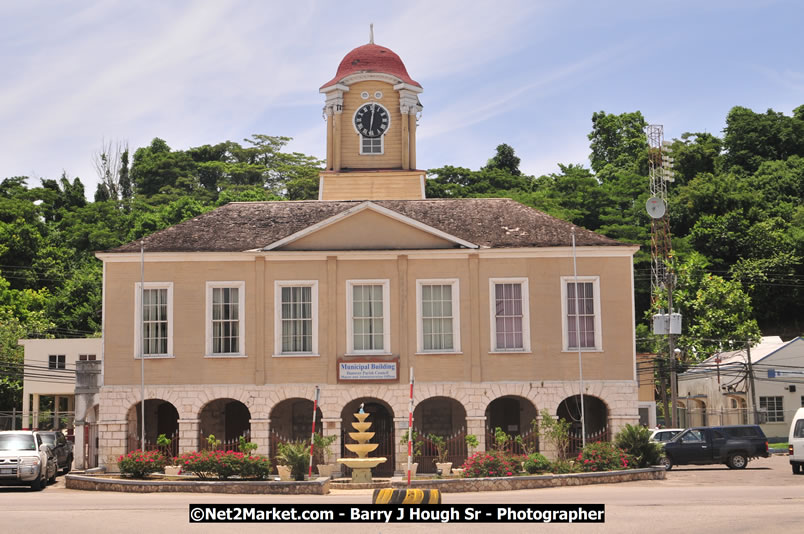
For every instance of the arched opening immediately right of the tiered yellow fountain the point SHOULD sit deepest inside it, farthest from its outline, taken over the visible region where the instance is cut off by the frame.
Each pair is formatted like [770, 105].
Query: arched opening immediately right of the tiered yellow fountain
[444, 417]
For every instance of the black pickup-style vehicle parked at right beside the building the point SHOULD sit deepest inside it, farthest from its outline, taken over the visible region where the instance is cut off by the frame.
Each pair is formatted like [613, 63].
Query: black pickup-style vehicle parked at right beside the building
[730, 445]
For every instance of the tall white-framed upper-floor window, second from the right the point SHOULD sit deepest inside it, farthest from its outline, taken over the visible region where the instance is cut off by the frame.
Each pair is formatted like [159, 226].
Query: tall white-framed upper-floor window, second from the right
[510, 318]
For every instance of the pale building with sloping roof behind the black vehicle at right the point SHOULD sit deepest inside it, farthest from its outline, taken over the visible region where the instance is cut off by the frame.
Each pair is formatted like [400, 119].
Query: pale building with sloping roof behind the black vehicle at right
[717, 391]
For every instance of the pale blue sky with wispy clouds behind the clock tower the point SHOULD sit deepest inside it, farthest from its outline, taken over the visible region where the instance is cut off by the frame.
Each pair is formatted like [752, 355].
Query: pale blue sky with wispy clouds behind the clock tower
[77, 75]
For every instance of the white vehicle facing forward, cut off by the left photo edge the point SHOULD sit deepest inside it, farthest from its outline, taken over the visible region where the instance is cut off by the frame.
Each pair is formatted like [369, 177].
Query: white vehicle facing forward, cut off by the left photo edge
[25, 460]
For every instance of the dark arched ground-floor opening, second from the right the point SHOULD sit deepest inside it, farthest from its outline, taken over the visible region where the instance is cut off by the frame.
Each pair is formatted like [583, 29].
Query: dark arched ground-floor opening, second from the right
[515, 416]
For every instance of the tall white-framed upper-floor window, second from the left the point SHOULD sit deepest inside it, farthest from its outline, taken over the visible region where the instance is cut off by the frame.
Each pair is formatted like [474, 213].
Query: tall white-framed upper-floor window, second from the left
[225, 319]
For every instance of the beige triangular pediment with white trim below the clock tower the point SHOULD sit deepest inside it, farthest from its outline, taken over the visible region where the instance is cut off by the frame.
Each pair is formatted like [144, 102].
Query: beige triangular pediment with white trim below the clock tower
[369, 227]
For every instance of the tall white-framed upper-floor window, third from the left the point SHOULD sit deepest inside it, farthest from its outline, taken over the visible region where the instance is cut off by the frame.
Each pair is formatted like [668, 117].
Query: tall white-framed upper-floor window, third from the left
[296, 318]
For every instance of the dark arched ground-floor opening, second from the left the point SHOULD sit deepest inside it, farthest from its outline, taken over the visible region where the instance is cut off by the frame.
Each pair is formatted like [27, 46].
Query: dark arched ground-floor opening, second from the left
[227, 420]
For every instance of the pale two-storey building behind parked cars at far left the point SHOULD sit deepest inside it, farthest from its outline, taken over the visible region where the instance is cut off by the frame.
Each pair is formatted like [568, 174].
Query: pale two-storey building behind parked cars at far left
[50, 372]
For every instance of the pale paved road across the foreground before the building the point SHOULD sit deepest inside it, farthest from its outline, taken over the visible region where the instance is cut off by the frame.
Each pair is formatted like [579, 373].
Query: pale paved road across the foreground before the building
[765, 497]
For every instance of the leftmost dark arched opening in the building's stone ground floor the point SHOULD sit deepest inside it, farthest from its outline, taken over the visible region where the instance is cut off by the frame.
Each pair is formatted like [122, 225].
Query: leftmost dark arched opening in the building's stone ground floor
[161, 417]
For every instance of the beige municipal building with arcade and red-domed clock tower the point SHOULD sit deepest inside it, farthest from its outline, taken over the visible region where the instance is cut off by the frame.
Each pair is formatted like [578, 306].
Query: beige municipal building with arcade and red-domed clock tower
[246, 310]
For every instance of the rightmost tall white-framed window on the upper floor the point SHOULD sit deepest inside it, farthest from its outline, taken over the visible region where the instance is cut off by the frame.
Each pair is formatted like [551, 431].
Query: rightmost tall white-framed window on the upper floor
[585, 325]
